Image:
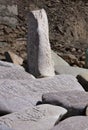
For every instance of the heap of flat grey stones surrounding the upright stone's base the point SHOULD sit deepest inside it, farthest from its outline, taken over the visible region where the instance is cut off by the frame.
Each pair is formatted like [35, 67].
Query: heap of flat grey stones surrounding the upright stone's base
[58, 102]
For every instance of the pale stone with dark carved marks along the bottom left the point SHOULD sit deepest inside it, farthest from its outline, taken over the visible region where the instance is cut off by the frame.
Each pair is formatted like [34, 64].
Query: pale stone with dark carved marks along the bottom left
[42, 117]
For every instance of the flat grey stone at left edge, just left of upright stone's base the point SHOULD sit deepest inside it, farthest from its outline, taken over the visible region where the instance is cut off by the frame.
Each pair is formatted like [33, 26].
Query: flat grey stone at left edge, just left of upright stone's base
[14, 73]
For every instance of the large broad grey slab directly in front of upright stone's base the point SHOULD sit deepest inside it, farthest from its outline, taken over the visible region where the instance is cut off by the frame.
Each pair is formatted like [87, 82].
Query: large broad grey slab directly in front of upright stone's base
[18, 94]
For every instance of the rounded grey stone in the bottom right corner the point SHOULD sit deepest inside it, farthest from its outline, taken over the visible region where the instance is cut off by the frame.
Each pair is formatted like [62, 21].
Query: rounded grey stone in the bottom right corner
[73, 123]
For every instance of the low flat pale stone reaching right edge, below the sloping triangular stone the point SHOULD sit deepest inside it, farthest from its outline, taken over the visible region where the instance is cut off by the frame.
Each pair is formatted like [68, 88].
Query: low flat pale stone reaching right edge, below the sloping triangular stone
[70, 70]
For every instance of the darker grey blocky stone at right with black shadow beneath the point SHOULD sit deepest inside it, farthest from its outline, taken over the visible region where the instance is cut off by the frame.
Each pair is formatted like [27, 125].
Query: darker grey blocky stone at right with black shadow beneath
[74, 101]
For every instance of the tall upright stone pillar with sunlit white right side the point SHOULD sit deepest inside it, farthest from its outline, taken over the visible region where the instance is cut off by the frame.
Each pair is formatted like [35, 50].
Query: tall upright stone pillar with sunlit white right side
[38, 46]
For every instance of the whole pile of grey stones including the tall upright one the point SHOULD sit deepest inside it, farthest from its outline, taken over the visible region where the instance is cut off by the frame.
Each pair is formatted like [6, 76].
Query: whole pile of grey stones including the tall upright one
[51, 102]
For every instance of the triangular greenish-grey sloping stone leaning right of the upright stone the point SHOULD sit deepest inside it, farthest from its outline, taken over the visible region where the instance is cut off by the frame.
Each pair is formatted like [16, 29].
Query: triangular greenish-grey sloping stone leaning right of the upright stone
[58, 61]
